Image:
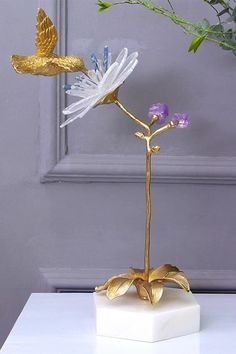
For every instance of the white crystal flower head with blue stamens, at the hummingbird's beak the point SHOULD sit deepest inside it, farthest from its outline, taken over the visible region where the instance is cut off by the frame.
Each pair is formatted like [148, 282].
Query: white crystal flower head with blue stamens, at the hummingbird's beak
[100, 82]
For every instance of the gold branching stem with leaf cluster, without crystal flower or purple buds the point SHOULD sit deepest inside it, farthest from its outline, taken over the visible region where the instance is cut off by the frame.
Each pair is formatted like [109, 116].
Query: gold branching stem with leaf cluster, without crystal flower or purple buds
[149, 282]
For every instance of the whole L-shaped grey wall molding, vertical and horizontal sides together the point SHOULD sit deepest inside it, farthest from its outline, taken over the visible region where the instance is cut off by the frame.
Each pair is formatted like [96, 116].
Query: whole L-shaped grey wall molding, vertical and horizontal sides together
[57, 165]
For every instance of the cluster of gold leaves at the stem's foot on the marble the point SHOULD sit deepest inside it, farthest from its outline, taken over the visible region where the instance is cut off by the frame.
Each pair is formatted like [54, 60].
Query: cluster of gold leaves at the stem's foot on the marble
[149, 287]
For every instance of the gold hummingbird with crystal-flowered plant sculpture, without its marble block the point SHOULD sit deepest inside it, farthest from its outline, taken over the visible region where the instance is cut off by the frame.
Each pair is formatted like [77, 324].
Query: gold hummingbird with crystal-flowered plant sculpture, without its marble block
[95, 87]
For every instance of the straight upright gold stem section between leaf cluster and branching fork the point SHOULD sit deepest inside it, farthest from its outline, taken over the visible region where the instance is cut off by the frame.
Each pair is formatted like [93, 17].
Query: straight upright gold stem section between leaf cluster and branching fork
[148, 213]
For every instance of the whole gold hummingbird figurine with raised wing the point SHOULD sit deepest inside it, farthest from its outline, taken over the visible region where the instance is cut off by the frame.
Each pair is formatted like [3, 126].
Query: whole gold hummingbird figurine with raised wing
[45, 62]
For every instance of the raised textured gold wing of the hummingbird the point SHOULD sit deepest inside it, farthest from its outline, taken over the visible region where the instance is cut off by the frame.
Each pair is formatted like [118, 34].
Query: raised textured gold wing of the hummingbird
[46, 35]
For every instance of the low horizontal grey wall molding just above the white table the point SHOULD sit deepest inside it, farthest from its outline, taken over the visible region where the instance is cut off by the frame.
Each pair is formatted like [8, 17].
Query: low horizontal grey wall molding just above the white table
[74, 278]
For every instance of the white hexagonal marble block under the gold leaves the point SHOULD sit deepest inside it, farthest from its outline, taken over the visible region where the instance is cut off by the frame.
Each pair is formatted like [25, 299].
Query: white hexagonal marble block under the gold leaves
[128, 317]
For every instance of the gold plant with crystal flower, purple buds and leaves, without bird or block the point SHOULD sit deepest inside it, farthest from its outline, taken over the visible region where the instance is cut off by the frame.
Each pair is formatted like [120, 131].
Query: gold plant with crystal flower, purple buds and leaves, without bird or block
[101, 86]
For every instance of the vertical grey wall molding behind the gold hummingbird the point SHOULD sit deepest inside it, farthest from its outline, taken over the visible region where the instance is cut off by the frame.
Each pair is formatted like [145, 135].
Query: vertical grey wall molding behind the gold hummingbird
[52, 99]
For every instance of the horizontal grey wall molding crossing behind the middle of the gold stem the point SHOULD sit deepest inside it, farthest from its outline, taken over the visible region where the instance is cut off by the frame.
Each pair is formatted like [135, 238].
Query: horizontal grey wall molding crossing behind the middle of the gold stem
[130, 168]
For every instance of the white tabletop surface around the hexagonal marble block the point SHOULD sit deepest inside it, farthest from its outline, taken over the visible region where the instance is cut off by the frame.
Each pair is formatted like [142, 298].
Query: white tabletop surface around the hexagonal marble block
[65, 324]
